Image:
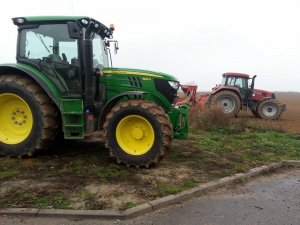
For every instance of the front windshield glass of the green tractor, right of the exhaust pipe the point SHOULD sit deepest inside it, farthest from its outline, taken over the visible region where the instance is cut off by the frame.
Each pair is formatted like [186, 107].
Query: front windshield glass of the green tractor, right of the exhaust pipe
[99, 54]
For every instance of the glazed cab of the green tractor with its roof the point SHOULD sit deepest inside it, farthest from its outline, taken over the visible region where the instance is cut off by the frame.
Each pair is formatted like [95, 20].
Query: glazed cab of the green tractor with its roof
[56, 48]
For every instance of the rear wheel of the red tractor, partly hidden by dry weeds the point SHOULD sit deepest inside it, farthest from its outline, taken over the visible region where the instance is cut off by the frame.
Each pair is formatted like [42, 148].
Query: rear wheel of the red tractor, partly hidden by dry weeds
[228, 100]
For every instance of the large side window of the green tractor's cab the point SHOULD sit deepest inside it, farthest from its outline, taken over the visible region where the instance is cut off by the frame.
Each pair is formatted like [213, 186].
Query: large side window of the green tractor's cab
[50, 47]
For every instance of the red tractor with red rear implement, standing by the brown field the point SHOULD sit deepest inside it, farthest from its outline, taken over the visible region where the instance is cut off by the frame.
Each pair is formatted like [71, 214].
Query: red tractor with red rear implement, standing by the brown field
[237, 92]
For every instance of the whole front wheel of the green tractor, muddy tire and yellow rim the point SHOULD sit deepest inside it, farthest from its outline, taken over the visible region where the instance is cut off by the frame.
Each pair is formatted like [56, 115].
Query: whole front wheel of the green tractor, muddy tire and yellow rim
[138, 133]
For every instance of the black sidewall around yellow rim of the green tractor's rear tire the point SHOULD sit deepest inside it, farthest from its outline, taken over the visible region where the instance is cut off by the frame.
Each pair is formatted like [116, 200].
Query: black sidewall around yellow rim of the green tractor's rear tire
[35, 135]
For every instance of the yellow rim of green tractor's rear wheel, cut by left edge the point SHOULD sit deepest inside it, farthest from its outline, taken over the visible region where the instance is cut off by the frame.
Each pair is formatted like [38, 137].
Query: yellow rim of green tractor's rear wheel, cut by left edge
[15, 119]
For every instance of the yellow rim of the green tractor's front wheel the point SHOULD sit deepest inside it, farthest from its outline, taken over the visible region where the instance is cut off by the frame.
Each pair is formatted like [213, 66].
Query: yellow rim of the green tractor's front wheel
[135, 135]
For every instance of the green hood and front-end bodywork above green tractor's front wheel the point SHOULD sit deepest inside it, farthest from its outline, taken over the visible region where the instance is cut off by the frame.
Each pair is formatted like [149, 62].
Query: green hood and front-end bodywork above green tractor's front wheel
[116, 82]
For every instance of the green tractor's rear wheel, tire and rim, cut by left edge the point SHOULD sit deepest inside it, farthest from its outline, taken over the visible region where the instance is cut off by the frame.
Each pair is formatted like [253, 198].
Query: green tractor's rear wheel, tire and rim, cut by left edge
[28, 119]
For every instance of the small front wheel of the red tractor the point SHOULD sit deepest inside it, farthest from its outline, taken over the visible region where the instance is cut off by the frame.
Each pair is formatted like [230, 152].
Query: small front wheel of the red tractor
[269, 109]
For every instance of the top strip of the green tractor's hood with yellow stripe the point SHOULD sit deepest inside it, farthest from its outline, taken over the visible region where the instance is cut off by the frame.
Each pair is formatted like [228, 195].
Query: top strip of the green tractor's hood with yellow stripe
[137, 72]
